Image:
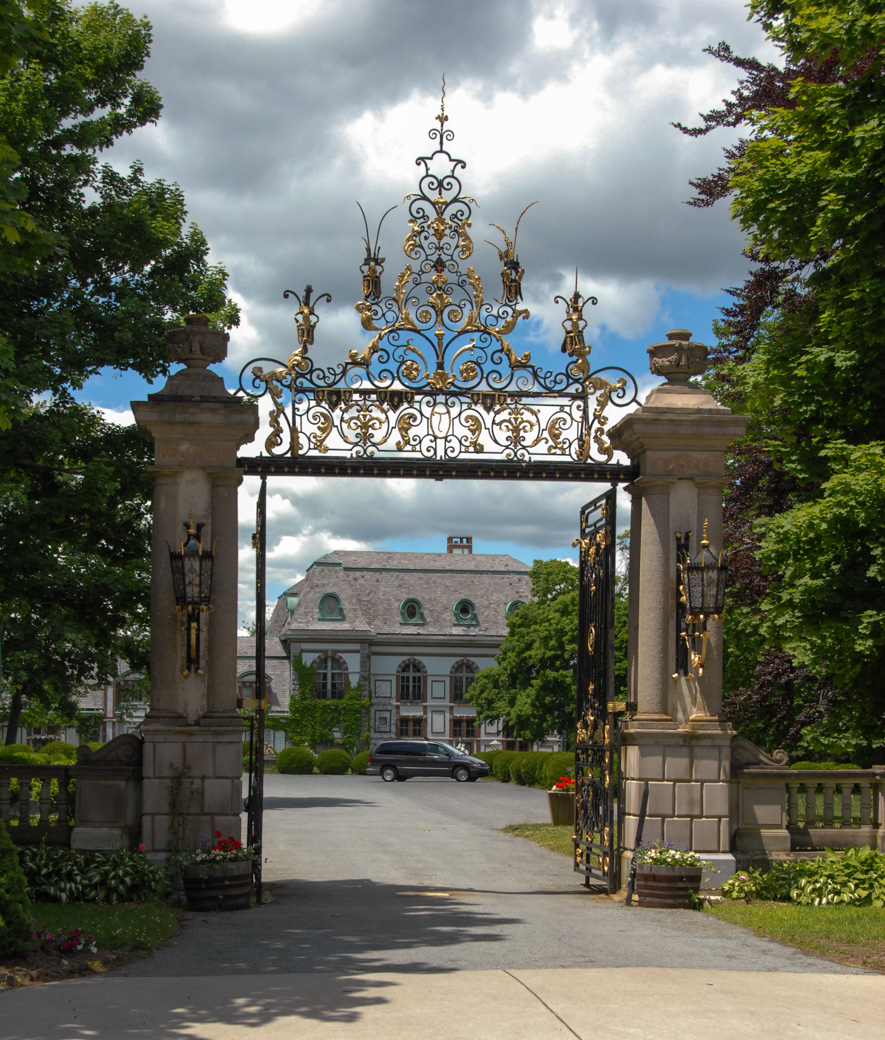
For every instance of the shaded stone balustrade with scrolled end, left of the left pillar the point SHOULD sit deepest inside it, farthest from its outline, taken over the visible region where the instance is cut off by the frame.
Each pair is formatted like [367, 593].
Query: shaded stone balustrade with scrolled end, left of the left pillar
[107, 799]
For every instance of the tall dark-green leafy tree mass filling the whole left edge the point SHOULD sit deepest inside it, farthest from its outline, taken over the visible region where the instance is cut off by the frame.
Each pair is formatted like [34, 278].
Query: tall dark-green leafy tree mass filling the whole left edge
[95, 265]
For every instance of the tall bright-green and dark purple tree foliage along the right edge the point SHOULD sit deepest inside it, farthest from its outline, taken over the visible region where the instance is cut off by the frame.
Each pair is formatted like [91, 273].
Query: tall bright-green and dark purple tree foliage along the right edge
[801, 350]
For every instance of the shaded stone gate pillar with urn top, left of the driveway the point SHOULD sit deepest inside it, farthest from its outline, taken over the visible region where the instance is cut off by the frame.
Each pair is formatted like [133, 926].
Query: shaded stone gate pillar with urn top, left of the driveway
[193, 763]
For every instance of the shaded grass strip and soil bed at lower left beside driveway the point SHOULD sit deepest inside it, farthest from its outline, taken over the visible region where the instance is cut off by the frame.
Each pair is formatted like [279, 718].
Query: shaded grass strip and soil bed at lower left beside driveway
[120, 932]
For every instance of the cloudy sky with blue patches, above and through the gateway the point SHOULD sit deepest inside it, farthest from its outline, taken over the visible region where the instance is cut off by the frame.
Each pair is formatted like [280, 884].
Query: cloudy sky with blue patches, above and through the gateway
[279, 115]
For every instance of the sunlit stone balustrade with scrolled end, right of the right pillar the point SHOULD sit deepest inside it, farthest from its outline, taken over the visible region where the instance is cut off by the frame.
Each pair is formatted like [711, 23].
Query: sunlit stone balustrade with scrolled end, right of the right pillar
[776, 812]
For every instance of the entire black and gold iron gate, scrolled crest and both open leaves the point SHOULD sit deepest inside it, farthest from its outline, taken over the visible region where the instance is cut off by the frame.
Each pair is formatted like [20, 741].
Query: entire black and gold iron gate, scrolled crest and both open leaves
[439, 393]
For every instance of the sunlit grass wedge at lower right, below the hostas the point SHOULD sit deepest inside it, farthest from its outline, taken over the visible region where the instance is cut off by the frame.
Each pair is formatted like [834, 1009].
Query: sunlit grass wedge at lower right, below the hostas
[849, 935]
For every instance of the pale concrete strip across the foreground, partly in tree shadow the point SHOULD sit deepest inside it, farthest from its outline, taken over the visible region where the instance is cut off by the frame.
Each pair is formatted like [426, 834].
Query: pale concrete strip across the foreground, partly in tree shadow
[519, 1005]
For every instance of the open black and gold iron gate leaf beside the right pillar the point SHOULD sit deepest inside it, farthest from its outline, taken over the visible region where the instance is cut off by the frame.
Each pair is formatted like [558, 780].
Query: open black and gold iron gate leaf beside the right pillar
[597, 739]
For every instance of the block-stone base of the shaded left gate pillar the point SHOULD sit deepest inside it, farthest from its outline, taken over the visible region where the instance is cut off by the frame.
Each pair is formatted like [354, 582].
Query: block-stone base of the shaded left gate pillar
[193, 785]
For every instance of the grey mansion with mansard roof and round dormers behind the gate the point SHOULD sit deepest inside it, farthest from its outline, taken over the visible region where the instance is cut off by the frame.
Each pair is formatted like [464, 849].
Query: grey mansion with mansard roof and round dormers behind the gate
[412, 629]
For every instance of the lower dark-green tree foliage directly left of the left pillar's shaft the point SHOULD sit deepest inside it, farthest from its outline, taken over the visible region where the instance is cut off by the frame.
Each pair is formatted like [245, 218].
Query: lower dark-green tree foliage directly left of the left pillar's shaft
[75, 578]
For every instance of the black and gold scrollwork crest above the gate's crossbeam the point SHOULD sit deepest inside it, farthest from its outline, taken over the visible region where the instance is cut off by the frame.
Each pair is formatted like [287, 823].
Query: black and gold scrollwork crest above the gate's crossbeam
[439, 378]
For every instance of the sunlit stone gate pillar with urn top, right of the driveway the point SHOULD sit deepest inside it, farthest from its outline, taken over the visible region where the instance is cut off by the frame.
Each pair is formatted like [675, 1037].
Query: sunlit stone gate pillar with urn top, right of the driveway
[676, 742]
